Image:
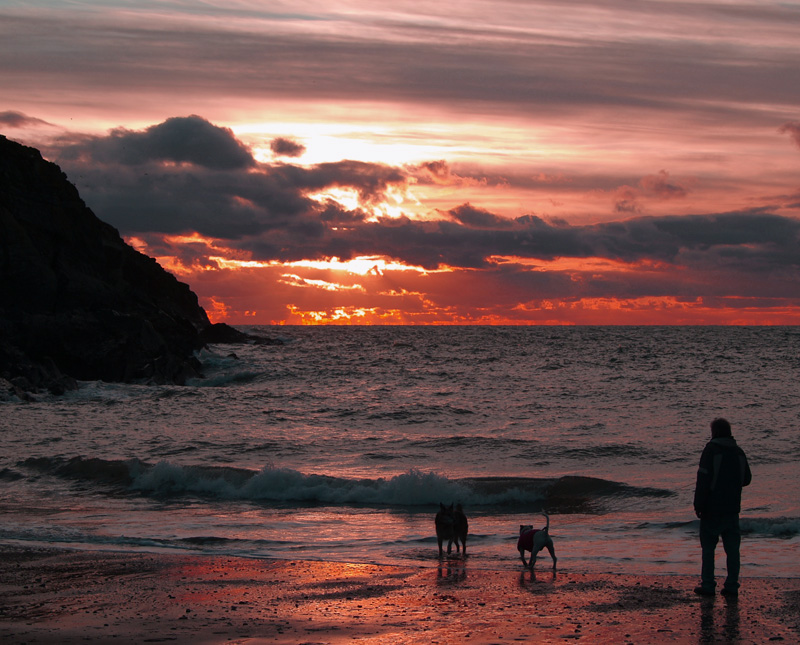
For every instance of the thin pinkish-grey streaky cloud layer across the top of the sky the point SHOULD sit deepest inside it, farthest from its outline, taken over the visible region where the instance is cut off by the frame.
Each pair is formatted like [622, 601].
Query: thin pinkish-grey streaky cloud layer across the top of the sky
[542, 56]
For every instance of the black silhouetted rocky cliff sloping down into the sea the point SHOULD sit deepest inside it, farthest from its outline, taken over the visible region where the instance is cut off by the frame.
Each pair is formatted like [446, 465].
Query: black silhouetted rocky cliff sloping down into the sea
[76, 302]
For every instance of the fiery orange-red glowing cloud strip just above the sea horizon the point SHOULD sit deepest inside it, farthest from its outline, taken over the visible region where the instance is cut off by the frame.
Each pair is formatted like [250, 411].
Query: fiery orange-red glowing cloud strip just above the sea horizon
[513, 292]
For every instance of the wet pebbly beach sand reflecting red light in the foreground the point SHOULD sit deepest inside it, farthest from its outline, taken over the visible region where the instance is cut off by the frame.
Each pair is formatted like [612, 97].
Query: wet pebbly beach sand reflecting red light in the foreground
[55, 596]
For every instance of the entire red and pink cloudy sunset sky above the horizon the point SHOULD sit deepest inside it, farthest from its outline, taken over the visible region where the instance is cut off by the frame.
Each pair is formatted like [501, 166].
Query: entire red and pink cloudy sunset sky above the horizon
[471, 162]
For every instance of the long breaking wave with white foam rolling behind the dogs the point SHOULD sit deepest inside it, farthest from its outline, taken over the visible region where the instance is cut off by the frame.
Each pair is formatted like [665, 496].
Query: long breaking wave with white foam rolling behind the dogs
[286, 486]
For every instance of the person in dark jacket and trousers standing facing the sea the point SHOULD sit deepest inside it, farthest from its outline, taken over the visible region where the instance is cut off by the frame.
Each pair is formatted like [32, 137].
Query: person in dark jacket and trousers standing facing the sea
[722, 473]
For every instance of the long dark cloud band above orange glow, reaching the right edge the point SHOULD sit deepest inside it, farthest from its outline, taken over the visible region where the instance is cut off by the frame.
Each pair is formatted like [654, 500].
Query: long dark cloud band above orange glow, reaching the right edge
[754, 242]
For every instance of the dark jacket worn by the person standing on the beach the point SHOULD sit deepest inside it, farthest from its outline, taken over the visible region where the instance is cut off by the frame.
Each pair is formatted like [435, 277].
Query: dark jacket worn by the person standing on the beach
[722, 473]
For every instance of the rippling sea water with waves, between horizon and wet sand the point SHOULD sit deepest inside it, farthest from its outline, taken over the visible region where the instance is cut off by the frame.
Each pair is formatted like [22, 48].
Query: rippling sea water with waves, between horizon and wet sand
[341, 442]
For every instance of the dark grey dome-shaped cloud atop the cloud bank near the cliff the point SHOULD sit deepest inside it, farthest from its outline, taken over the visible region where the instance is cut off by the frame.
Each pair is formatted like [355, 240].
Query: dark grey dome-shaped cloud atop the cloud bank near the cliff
[189, 139]
